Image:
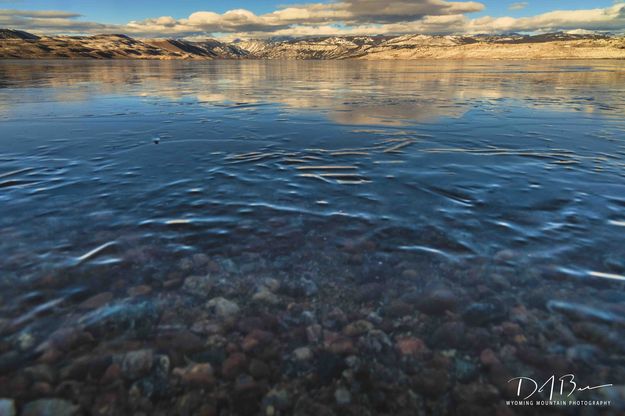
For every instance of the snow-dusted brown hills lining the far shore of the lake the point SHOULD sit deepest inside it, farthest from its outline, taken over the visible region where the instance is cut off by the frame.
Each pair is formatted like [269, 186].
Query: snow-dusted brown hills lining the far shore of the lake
[19, 44]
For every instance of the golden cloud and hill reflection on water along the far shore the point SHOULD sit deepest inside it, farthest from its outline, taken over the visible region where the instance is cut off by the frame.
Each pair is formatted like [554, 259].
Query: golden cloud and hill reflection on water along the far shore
[381, 92]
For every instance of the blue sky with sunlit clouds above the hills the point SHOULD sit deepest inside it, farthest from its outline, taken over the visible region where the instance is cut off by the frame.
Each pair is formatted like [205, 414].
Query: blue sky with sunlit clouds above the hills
[267, 18]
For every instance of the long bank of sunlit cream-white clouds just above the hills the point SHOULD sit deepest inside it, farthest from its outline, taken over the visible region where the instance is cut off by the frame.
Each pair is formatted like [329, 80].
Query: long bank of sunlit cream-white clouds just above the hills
[347, 17]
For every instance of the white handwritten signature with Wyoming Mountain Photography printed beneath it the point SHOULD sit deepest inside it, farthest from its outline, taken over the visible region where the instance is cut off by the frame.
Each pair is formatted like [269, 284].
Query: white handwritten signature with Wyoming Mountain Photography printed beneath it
[564, 386]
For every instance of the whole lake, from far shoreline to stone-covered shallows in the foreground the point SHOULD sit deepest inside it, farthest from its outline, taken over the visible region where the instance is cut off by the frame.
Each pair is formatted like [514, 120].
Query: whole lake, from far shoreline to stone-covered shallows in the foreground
[375, 237]
